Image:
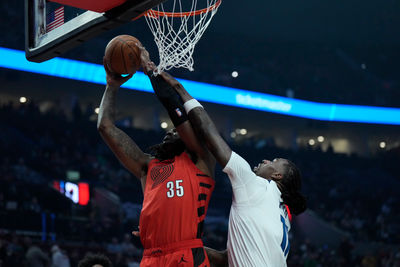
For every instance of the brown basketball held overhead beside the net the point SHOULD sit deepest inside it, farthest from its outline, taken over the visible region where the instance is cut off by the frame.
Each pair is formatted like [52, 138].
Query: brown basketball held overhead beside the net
[122, 54]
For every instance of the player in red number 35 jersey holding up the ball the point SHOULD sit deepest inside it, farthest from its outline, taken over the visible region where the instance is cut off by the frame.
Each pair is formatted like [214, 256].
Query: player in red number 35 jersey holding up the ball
[176, 181]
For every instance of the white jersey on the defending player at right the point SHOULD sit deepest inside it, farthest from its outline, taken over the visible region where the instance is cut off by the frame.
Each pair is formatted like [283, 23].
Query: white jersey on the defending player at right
[258, 220]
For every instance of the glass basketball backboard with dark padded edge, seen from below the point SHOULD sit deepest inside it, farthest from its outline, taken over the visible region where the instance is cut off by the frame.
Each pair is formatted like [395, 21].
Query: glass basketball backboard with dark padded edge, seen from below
[54, 27]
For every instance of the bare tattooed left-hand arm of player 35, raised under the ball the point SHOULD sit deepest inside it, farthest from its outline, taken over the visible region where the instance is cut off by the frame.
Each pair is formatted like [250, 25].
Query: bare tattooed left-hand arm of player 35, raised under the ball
[124, 148]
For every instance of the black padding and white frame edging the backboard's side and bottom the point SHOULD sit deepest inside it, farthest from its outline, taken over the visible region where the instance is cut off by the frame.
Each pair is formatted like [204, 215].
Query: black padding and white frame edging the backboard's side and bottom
[41, 46]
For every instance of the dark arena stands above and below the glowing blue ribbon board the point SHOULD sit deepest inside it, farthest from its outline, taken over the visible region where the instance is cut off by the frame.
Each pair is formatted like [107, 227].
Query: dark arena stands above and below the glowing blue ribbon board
[329, 52]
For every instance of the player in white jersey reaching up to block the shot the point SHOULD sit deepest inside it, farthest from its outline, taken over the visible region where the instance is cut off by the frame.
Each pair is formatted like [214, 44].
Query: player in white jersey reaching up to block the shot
[259, 219]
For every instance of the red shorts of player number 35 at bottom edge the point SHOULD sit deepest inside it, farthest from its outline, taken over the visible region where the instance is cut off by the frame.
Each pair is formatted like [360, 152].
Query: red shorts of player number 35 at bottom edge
[183, 254]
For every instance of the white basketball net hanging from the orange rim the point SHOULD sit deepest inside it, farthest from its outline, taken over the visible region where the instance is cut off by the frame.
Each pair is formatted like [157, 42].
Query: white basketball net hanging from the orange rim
[177, 27]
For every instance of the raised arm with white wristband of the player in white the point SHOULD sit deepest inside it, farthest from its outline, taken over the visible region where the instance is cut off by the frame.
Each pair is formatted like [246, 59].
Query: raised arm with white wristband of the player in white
[205, 128]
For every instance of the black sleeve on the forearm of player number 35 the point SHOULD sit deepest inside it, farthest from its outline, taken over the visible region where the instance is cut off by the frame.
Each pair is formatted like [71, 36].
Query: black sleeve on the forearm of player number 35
[170, 99]
